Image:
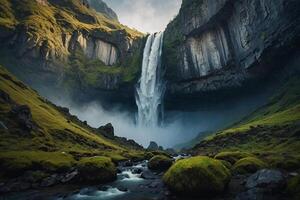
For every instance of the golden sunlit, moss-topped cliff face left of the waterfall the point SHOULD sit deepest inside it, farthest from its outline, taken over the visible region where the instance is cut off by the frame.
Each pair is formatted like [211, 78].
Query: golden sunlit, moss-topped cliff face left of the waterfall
[67, 44]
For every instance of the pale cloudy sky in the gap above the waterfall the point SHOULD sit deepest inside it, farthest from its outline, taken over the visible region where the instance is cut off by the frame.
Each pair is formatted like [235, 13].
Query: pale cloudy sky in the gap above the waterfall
[145, 15]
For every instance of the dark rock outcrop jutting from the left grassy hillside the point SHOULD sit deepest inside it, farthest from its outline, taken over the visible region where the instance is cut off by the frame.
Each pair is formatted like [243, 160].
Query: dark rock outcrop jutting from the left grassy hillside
[23, 116]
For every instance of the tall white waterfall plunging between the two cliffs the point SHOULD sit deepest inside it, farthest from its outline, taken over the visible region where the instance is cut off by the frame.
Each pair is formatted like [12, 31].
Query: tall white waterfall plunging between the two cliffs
[151, 87]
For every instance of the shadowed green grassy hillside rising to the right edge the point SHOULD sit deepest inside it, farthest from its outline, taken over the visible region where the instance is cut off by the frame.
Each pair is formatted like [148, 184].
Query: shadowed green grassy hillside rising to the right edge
[272, 132]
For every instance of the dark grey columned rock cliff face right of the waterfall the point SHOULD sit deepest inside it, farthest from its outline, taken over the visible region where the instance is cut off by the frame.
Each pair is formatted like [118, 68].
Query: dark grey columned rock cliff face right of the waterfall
[212, 45]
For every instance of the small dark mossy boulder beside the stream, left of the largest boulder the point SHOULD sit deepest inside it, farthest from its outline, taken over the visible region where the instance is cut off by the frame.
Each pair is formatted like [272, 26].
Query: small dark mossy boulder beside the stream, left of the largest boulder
[160, 163]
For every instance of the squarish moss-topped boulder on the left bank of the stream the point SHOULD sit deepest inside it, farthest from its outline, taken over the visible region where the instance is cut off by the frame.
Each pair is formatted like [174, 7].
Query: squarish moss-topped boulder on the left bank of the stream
[96, 170]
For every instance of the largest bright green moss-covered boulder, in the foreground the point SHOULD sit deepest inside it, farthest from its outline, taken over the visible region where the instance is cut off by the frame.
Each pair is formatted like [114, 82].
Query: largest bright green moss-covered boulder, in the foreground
[197, 176]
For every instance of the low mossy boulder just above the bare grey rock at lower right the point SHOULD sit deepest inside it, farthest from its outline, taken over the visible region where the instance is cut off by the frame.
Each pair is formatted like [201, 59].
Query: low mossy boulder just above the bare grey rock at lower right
[248, 165]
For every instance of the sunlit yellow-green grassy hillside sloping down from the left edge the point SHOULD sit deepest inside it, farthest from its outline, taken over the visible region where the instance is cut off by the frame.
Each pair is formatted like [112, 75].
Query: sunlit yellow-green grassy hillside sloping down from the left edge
[56, 139]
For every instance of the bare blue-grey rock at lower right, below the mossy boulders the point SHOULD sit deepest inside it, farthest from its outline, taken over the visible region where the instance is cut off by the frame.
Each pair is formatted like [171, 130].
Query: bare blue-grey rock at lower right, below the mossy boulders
[267, 179]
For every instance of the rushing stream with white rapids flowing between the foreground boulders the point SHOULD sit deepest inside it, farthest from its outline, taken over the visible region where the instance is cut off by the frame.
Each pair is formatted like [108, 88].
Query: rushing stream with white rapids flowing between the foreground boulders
[135, 182]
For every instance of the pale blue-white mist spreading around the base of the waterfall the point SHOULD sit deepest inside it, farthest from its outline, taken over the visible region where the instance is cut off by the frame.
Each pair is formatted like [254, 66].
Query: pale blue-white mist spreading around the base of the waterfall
[179, 126]
